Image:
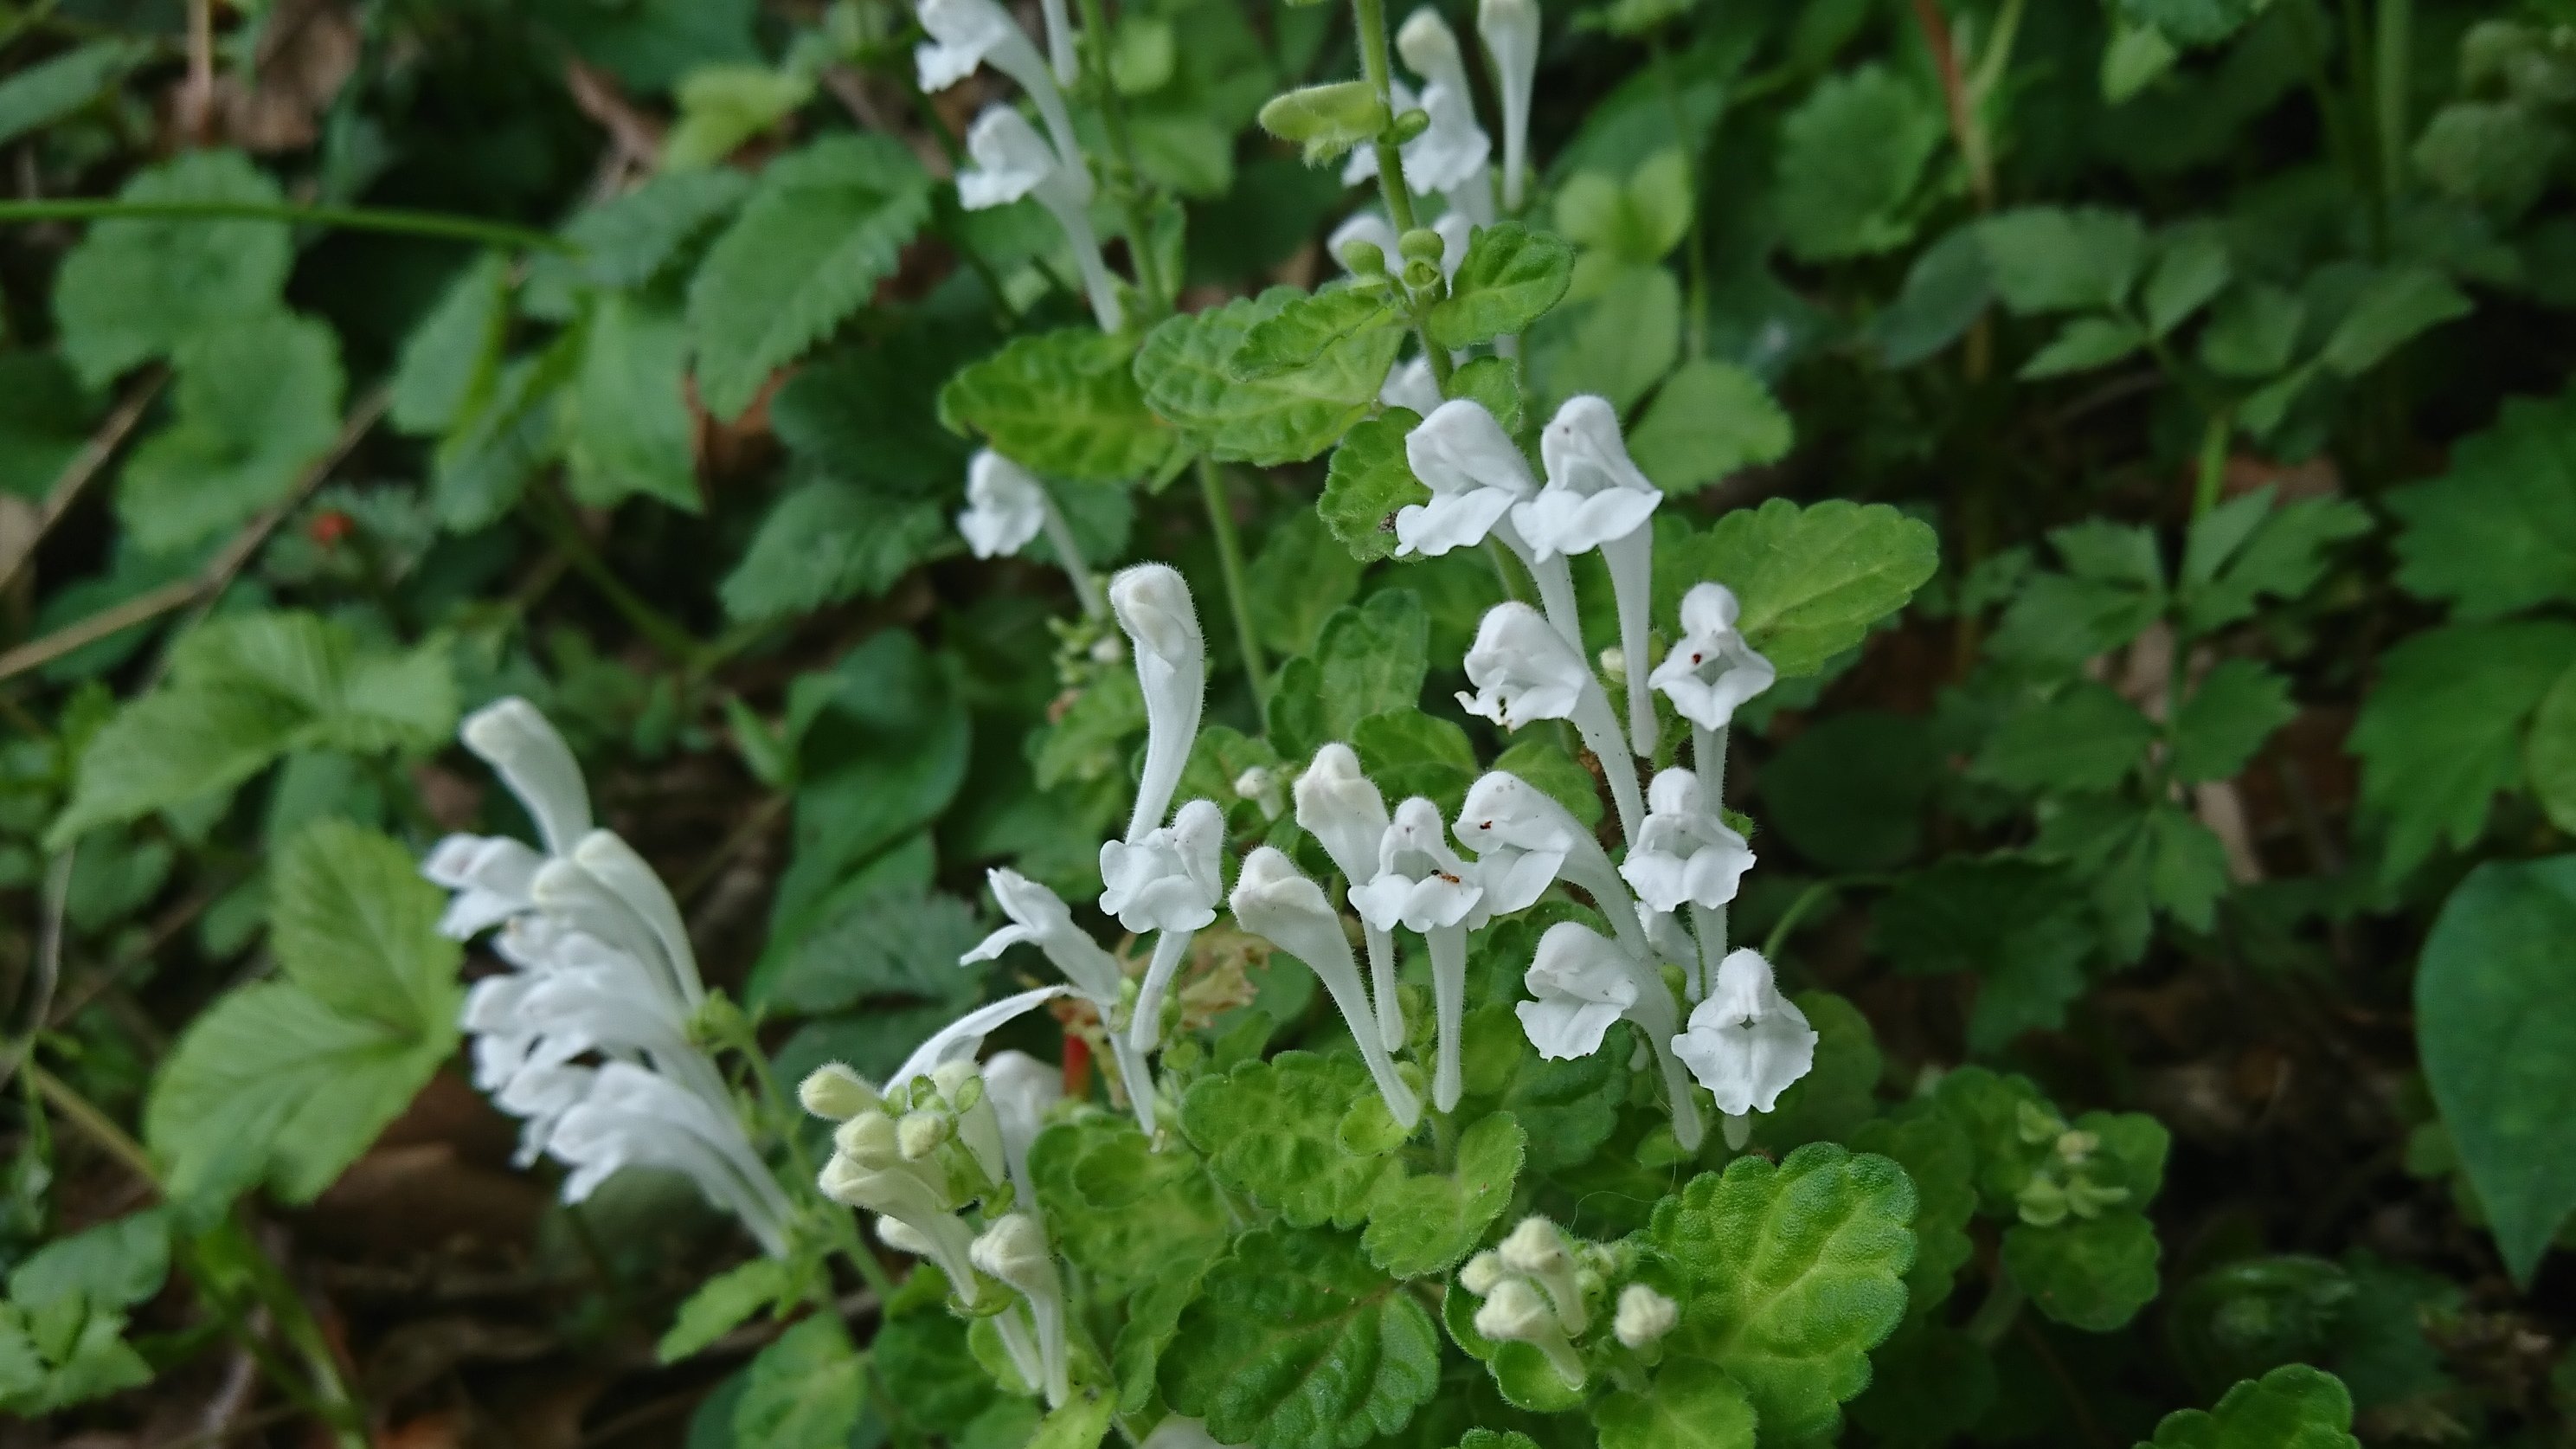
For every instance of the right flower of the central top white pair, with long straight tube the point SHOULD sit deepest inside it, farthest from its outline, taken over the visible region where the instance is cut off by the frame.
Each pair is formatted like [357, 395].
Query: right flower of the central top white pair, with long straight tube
[1596, 499]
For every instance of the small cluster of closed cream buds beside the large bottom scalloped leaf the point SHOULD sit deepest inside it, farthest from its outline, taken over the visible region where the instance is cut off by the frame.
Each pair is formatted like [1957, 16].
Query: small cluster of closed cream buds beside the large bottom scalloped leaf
[1539, 1290]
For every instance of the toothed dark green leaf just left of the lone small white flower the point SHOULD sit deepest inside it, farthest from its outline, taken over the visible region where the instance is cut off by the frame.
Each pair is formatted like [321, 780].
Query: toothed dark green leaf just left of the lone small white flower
[828, 543]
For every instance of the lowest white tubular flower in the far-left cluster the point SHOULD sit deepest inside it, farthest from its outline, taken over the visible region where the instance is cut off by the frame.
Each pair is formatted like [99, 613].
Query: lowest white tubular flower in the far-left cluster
[632, 1115]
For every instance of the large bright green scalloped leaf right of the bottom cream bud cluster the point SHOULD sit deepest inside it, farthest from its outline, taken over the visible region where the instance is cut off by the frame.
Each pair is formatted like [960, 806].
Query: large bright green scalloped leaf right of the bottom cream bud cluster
[1794, 1272]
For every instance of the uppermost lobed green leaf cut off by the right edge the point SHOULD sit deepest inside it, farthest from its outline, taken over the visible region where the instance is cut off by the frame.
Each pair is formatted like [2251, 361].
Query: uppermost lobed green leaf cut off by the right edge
[2497, 532]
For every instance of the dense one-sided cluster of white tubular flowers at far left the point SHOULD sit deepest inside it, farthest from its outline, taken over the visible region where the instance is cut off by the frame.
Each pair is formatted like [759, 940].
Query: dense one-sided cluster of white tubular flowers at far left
[589, 1035]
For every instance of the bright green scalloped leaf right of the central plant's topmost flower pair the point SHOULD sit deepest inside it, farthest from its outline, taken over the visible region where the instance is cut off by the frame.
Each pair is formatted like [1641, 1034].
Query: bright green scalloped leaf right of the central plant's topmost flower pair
[1812, 579]
